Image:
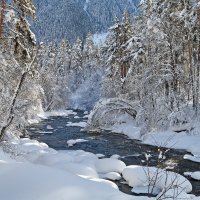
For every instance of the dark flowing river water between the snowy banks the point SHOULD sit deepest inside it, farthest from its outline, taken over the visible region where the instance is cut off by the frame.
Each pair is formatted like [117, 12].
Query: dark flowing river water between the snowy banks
[132, 152]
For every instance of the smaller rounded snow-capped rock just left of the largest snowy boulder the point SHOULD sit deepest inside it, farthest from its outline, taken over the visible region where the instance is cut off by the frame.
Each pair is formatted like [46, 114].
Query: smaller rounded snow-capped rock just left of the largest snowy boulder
[107, 165]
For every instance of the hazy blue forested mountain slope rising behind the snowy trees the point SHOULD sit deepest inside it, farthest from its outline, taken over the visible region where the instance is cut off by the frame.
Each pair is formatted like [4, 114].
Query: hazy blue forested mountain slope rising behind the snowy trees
[57, 19]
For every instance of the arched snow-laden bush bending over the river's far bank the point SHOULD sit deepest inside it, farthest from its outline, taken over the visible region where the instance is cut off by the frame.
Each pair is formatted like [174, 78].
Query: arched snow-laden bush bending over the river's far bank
[108, 112]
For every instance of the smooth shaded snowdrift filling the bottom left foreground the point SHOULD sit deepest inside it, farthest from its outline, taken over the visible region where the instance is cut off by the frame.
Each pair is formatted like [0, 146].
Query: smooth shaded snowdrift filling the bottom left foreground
[36, 182]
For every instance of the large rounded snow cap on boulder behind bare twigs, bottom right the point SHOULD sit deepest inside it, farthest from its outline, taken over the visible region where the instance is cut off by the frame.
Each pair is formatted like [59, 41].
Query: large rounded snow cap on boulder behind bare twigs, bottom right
[139, 176]
